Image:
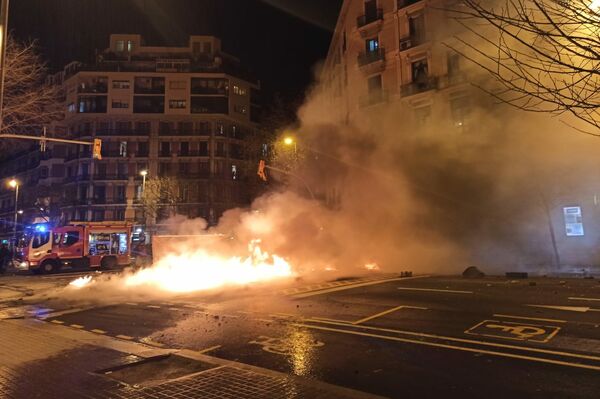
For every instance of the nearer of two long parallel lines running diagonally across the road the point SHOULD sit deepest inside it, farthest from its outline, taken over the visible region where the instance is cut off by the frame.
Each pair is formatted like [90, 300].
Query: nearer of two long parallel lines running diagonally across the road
[459, 348]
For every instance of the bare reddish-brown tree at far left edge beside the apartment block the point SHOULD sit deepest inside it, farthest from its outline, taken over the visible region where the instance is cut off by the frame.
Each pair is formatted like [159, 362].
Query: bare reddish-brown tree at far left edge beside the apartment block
[29, 102]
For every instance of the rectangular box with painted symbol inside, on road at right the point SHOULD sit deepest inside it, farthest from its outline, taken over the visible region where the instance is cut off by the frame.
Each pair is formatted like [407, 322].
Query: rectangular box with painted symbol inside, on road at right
[515, 331]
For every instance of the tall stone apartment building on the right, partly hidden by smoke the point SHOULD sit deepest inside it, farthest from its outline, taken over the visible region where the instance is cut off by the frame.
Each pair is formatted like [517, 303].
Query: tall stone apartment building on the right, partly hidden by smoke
[395, 59]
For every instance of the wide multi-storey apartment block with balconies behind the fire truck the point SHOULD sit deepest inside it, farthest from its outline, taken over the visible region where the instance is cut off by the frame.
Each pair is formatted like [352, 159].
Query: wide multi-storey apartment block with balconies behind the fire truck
[174, 112]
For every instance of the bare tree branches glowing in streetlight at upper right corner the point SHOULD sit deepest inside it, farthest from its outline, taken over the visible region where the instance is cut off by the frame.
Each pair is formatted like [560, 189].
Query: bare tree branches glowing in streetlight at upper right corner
[545, 54]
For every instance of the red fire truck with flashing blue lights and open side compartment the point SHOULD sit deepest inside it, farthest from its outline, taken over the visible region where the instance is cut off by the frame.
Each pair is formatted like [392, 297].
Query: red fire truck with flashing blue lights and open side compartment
[79, 244]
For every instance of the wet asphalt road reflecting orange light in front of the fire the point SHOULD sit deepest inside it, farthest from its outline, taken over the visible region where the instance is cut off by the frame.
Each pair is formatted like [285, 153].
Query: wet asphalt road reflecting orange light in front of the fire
[400, 338]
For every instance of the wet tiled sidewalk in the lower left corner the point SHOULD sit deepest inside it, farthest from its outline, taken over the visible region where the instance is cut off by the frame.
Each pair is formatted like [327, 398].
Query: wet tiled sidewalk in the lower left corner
[42, 360]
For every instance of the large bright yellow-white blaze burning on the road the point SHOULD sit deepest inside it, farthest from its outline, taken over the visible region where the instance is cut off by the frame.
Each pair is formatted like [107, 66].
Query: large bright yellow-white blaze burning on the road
[199, 270]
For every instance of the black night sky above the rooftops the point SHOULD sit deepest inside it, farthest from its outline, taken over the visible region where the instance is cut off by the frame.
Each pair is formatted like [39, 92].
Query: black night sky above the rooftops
[278, 40]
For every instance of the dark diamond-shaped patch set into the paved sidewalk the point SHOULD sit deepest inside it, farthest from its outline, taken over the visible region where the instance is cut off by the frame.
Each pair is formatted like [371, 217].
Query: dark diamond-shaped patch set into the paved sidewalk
[156, 370]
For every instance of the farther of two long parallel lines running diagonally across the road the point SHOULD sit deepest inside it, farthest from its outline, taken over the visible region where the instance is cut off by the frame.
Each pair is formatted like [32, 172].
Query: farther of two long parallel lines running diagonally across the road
[461, 340]
